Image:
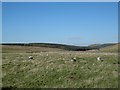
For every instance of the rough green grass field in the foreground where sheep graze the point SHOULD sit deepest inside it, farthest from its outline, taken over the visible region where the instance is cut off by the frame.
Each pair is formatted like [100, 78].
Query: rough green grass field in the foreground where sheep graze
[56, 70]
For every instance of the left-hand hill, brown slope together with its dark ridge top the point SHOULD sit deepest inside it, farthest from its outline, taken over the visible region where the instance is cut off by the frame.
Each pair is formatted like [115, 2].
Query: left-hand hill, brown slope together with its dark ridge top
[37, 47]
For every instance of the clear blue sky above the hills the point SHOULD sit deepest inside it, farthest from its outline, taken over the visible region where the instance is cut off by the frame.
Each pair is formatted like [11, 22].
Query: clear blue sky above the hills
[73, 23]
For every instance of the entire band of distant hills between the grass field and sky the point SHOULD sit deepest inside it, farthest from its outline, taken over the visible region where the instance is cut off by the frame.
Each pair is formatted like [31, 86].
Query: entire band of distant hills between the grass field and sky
[37, 47]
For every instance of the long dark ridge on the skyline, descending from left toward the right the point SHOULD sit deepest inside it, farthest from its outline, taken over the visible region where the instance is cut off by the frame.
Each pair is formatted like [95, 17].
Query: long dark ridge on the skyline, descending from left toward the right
[50, 45]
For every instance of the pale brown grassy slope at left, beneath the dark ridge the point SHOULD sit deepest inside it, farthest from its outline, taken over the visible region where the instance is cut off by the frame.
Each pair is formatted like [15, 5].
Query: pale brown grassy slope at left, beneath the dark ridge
[27, 49]
